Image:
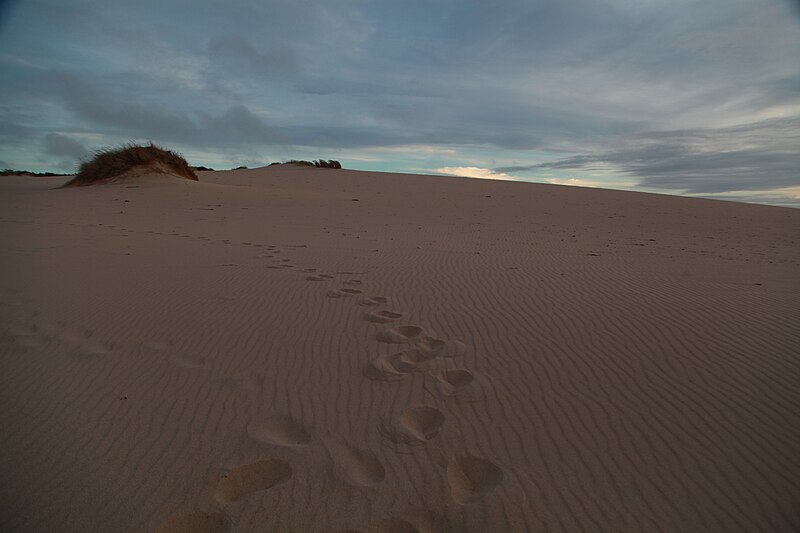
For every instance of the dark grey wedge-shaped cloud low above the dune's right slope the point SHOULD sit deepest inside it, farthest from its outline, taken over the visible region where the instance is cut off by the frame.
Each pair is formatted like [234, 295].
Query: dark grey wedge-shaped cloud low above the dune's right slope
[759, 156]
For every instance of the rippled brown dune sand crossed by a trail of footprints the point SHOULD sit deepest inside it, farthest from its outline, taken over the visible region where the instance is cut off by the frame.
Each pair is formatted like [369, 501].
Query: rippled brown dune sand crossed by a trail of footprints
[300, 349]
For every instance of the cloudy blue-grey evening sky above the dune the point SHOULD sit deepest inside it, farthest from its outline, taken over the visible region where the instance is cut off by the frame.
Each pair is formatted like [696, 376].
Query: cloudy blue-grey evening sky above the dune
[688, 97]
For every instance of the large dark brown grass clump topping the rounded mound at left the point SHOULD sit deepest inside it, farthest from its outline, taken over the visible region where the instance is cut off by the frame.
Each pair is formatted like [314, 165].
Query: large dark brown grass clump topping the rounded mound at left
[109, 164]
